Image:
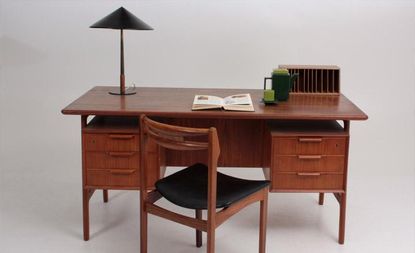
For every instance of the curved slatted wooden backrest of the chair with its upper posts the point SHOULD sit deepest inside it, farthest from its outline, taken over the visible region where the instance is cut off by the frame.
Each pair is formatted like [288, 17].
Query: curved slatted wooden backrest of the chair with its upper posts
[180, 138]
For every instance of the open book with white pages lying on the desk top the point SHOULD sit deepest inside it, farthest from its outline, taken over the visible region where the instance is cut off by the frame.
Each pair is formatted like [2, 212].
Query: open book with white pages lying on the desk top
[238, 102]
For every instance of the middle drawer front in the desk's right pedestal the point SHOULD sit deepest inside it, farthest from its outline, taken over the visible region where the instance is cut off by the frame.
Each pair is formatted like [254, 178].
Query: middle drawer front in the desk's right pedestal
[308, 163]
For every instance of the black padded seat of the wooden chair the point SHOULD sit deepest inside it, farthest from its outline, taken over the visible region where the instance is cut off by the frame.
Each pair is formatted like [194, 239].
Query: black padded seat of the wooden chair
[188, 188]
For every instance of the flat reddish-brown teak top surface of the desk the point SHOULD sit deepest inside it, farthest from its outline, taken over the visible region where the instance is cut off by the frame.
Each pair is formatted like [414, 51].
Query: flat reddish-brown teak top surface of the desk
[177, 102]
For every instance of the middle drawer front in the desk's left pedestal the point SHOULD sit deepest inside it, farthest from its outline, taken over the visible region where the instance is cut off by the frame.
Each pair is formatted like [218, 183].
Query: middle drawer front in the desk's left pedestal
[112, 160]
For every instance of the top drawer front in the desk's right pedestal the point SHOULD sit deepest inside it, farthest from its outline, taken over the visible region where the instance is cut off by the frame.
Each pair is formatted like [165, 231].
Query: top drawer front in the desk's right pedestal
[309, 145]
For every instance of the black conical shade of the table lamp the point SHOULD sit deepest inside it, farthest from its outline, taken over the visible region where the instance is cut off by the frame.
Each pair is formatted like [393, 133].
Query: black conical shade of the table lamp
[121, 19]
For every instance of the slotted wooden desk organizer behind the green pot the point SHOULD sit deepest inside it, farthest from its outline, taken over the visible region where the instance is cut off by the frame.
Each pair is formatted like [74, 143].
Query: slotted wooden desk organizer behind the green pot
[315, 79]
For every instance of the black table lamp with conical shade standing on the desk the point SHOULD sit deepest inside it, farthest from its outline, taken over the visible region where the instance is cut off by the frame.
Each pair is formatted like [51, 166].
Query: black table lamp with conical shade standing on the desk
[123, 20]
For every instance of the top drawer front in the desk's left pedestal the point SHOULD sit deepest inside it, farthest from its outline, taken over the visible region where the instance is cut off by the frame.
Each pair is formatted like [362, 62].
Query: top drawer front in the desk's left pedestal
[111, 142]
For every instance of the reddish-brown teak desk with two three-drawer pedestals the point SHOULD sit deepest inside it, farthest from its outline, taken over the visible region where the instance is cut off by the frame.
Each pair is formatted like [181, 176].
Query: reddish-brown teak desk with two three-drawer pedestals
[298, 143]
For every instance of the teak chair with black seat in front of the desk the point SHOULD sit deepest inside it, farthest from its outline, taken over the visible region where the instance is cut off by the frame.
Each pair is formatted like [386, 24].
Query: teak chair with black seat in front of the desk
[199, 187]
